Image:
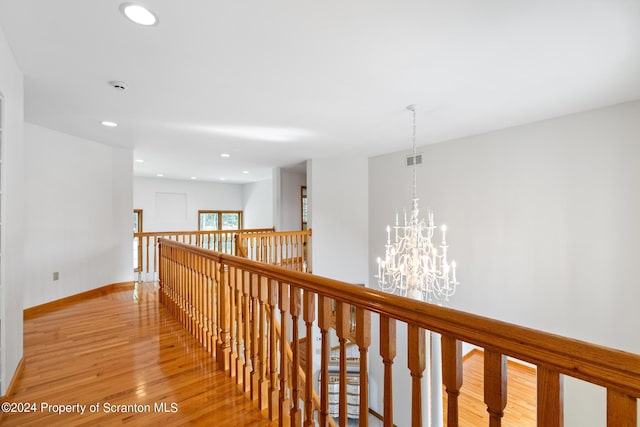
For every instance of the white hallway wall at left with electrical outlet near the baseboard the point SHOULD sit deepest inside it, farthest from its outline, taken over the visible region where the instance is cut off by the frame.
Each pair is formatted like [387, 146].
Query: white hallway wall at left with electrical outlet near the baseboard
[79, 204]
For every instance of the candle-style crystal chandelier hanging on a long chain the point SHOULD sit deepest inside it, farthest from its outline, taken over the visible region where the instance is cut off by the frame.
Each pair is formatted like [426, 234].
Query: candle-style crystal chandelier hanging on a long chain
[413, 267]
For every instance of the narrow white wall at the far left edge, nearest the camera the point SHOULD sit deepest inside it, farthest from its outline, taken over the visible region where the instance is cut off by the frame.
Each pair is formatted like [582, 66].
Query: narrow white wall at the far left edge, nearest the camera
[11, 89]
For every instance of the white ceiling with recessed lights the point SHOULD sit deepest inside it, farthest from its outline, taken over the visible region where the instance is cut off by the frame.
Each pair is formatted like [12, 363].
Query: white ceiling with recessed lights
[273, 83]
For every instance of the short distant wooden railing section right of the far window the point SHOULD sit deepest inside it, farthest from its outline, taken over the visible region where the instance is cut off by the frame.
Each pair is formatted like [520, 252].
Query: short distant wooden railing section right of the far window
[288, 249]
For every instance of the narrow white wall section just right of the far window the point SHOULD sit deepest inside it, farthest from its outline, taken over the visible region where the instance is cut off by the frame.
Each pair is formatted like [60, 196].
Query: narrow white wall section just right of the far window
[257, 199]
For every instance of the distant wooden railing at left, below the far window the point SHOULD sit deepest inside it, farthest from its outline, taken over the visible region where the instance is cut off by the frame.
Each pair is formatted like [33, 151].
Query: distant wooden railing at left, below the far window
[145, 245]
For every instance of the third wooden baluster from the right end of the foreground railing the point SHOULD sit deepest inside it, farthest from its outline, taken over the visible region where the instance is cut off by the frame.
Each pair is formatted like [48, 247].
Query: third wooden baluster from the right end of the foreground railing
[495, 386]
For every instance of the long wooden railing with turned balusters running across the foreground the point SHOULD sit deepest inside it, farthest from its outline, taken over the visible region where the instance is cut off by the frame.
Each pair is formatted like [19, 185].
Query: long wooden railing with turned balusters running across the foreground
[231, 305]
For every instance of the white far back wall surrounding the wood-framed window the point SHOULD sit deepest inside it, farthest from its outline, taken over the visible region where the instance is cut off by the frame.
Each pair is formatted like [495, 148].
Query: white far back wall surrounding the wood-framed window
[186, 197]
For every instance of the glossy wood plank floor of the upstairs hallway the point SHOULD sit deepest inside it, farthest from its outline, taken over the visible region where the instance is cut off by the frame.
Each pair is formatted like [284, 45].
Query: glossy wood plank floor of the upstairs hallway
[123, 348]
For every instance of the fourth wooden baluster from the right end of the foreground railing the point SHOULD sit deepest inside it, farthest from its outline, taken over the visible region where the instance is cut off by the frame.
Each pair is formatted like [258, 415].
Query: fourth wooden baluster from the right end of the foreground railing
[452, 376]
